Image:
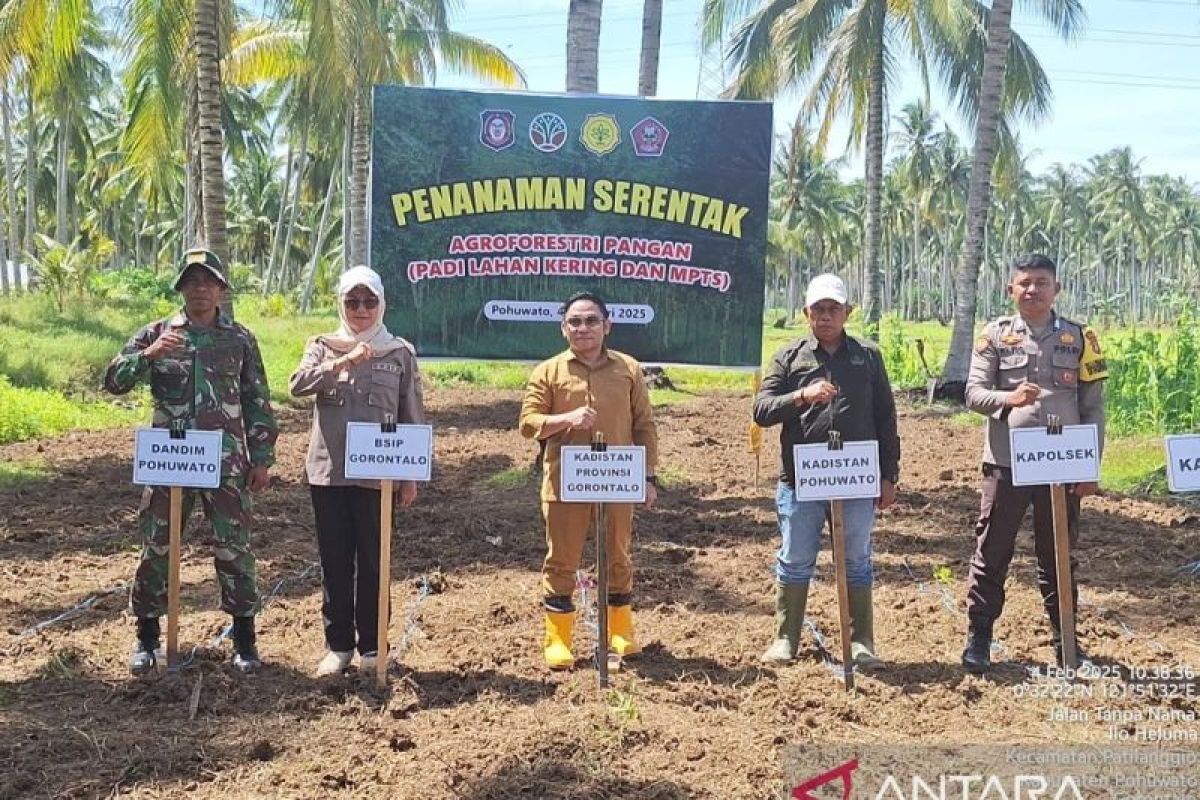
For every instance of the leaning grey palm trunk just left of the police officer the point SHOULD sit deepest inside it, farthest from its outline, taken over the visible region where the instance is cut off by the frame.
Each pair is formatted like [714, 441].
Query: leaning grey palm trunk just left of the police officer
[995, 62]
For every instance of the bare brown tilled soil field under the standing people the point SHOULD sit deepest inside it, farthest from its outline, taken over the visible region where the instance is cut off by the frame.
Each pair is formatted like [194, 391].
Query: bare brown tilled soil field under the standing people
[471, 712]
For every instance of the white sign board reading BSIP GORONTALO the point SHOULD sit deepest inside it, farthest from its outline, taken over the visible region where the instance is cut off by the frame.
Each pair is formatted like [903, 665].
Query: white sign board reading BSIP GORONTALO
[373, 455]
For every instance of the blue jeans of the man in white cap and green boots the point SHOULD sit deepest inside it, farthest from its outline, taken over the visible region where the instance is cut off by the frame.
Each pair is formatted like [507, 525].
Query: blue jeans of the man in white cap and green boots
[801, 525]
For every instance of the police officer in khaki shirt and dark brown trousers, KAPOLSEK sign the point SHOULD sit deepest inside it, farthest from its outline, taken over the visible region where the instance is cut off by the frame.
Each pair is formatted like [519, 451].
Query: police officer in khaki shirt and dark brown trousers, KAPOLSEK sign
[1027, 368]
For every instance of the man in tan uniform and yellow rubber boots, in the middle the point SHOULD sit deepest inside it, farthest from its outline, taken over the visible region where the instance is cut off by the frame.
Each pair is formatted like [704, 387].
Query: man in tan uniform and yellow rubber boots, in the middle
[585, 389]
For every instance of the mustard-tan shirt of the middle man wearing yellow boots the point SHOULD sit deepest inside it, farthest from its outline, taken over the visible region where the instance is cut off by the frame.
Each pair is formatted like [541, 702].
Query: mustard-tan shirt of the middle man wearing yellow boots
[615, 389]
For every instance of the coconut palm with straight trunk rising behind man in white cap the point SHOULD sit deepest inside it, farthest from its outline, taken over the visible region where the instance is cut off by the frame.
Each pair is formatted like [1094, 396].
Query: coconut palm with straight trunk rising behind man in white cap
[849, 49]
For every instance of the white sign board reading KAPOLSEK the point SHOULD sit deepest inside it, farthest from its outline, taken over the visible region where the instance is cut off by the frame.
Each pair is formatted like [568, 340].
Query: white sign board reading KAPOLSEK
[1070, 458]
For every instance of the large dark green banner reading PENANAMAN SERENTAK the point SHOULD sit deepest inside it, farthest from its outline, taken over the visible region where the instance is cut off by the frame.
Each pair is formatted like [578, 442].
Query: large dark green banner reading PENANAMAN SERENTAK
[489, 209]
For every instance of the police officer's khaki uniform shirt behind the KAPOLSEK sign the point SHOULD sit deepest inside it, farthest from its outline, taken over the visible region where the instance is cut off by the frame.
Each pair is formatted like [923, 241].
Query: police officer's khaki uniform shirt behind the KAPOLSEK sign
[1064, 362]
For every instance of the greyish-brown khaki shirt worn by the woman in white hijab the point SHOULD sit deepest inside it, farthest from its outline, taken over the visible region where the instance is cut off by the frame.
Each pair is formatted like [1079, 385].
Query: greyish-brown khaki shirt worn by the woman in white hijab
[367, 393]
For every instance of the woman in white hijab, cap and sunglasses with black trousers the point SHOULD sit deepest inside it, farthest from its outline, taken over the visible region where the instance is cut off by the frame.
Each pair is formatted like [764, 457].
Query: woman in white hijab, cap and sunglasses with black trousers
[359, 374]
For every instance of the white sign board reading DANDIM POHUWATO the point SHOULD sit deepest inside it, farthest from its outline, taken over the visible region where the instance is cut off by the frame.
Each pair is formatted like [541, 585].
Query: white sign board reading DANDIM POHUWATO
[193, 462]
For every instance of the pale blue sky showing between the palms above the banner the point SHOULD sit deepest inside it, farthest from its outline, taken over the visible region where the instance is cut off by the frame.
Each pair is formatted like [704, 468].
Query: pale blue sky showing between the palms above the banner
[1131, 79]
